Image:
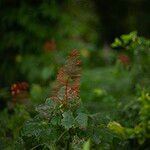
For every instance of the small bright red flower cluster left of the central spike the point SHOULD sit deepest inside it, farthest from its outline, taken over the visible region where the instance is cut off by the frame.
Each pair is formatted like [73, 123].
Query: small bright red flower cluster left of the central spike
[17, 88]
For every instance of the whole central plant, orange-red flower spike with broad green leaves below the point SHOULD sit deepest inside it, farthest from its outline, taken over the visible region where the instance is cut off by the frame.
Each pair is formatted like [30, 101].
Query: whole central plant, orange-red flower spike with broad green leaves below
[60, 121]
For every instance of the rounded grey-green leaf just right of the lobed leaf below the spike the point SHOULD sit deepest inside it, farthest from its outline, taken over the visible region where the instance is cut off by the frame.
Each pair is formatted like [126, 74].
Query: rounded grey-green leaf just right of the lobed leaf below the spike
[82, 120]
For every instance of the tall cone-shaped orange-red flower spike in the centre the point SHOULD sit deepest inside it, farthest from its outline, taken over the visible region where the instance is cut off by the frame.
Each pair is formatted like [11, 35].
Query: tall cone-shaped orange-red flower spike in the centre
[68, 80]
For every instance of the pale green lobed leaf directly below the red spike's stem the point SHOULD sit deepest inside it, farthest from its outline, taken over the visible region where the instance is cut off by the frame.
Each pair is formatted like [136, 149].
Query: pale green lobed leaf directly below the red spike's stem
[68, 120]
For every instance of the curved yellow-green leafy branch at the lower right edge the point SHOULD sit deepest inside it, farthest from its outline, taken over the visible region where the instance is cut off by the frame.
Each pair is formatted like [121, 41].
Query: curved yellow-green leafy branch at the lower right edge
[141, 130]
